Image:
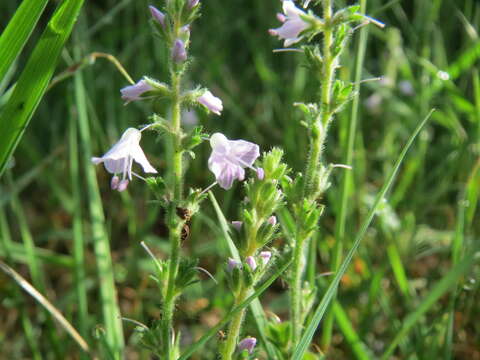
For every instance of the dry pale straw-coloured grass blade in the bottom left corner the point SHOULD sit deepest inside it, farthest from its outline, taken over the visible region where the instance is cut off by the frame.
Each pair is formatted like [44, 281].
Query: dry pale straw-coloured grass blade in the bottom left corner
[46, 304]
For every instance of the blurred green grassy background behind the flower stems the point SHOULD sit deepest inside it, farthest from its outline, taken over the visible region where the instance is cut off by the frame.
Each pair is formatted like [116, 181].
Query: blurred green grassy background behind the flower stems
[428, 56]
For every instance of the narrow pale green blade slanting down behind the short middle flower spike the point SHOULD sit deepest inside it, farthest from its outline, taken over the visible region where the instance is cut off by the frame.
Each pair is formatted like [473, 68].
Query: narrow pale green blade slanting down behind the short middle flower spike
[256, 306]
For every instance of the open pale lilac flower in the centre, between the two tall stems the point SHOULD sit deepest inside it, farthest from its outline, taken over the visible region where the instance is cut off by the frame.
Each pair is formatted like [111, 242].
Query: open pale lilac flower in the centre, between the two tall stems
[229, 158]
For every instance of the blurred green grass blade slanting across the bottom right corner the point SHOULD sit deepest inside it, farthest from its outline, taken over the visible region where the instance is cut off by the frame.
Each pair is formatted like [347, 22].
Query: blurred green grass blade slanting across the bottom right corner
[439, 289]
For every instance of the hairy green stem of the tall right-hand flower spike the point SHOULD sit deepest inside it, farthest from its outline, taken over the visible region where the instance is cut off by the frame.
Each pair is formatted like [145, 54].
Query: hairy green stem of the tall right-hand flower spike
[317, 139]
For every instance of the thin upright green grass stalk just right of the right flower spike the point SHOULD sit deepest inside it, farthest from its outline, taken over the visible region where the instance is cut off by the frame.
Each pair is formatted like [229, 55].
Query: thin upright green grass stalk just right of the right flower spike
[347, 177]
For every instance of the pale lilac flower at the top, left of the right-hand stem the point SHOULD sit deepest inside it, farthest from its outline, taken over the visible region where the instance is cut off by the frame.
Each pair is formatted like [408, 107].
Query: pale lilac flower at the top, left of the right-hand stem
[293, 24]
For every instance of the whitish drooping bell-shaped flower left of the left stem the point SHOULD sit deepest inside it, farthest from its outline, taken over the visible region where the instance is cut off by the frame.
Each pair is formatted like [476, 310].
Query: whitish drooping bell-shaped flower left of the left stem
[119, 159]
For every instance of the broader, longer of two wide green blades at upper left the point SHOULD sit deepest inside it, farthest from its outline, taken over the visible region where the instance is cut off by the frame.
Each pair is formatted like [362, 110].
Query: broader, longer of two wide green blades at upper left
[35, 77]
